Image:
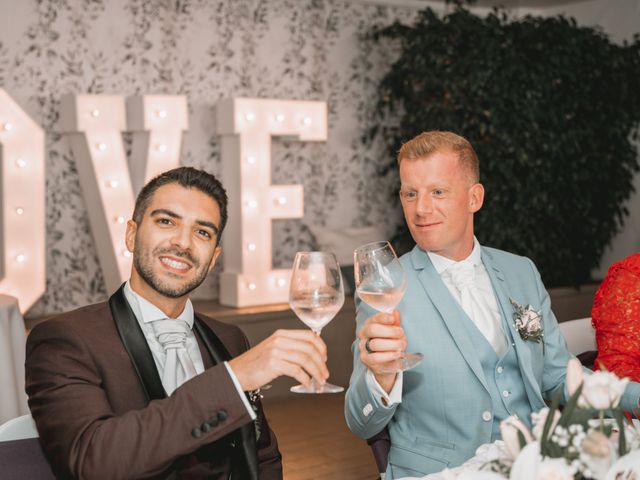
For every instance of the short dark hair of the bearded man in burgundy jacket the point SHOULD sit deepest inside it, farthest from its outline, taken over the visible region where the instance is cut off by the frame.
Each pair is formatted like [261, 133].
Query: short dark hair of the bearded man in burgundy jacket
[187, 177]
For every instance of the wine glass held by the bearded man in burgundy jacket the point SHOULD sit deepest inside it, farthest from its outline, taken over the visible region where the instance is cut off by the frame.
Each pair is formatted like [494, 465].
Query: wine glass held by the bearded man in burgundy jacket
[316, 295]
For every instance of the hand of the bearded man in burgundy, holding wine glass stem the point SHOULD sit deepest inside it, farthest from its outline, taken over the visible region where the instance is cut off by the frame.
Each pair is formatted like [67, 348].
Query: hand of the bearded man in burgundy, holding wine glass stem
[299, 354]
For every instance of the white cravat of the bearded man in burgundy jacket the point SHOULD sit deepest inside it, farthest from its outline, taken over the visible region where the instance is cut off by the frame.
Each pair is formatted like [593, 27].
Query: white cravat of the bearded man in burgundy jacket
[178, 366]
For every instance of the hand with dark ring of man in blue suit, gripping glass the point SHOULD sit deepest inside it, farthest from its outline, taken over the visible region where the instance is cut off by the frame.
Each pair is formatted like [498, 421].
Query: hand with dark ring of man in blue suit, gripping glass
[387, 343]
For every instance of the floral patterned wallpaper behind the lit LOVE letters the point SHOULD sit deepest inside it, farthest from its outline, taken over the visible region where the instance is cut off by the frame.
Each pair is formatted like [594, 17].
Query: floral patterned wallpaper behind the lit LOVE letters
[206, 50]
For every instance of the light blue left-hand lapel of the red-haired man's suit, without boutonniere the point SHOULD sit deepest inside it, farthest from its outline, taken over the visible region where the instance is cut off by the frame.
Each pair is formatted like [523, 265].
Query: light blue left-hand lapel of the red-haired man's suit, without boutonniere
[451, 313]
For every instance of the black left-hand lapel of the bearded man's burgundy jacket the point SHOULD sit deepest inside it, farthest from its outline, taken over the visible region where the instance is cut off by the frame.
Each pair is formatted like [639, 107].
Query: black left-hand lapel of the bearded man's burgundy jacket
[136, 346]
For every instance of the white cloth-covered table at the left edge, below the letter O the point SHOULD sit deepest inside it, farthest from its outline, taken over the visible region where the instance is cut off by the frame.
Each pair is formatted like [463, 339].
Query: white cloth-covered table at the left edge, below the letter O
[13, 400]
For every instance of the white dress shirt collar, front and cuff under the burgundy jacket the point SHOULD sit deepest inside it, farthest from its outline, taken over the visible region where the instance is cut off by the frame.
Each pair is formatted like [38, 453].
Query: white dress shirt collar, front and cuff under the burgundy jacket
[146, 313]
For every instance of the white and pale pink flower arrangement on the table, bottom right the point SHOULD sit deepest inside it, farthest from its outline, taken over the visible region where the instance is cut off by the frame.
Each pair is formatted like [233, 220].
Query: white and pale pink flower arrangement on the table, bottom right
[572, 445]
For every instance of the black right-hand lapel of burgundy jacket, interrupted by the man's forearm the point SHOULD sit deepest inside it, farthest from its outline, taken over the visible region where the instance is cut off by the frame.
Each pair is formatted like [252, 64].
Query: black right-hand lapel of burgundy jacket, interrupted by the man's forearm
[246, 465]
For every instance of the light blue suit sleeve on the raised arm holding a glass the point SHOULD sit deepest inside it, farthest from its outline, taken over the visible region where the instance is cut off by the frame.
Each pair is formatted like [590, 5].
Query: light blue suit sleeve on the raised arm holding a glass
[365, 413]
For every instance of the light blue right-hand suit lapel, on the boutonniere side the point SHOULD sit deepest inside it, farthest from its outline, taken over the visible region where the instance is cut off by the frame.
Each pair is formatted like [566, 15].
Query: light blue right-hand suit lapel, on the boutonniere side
[500, 288]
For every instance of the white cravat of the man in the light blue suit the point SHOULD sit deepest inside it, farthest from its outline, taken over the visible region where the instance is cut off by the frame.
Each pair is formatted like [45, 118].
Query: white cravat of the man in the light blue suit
[462, 276]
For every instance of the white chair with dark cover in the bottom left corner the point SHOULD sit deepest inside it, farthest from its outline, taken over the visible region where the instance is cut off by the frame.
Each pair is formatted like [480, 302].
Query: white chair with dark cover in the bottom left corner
[20, 454]
